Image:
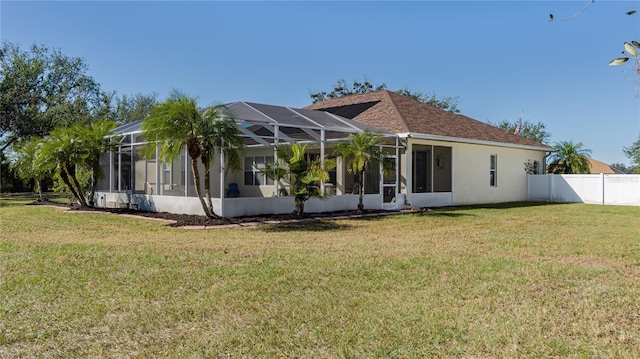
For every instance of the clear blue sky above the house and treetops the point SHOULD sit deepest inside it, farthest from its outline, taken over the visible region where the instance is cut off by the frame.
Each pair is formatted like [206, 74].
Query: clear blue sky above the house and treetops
[498, 57]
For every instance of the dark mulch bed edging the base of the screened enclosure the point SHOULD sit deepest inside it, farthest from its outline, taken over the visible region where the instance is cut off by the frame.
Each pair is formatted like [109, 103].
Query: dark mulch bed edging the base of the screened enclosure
[182, 220]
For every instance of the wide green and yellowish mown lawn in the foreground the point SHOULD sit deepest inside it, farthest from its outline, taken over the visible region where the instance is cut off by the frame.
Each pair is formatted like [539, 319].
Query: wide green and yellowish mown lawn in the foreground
[518, 280]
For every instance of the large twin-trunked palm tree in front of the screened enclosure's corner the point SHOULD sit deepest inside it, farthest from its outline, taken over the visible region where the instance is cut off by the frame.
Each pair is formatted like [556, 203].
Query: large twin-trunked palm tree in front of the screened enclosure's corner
[178, 123]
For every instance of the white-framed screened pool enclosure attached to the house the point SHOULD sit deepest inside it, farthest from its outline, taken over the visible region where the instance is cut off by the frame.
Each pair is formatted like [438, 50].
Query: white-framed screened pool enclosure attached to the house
[131, 179]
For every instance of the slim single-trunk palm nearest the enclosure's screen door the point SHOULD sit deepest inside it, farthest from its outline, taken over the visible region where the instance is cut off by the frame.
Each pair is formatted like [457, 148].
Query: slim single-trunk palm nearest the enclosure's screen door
[359, 151]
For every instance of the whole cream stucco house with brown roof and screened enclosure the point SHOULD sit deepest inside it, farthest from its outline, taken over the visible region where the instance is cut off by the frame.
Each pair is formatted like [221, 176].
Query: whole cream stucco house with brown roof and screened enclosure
[440, 159]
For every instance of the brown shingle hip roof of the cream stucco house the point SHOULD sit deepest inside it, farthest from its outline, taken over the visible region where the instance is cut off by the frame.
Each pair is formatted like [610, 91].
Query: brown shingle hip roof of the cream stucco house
[395, 113]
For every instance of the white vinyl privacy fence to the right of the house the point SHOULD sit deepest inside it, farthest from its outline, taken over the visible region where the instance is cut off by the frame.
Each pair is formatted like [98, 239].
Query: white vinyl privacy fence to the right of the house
[595, 189]
